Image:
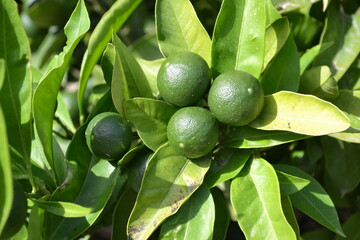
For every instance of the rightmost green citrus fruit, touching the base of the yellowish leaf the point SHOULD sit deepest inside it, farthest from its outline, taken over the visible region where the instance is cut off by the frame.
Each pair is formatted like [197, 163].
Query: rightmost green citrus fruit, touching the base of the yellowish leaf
[236, 98]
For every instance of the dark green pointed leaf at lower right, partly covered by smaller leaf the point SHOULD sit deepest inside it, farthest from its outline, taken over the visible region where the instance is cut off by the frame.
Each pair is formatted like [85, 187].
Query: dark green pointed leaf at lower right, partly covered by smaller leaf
[313, 200]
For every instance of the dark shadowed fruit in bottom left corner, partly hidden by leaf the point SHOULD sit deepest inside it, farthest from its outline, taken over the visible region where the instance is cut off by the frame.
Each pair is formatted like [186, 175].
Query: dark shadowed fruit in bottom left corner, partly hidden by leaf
[18, 212]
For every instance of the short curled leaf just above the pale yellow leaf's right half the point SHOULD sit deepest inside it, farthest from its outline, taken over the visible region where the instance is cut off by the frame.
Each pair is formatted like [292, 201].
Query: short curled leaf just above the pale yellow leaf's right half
[319, 82]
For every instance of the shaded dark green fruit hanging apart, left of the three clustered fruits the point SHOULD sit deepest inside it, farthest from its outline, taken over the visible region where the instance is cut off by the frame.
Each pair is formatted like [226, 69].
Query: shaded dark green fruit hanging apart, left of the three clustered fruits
[108, 136]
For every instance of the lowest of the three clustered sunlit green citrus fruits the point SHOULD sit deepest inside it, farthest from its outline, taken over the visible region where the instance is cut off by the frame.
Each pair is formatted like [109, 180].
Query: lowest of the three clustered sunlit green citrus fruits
[193, 131]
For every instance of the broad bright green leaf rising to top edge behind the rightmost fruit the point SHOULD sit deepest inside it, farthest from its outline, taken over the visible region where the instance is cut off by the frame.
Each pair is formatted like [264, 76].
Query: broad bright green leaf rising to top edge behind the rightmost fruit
[239, 37]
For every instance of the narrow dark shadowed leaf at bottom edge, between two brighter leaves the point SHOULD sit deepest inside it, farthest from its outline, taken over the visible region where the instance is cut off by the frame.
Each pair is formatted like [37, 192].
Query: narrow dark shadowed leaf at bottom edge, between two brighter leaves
[222, 215]
